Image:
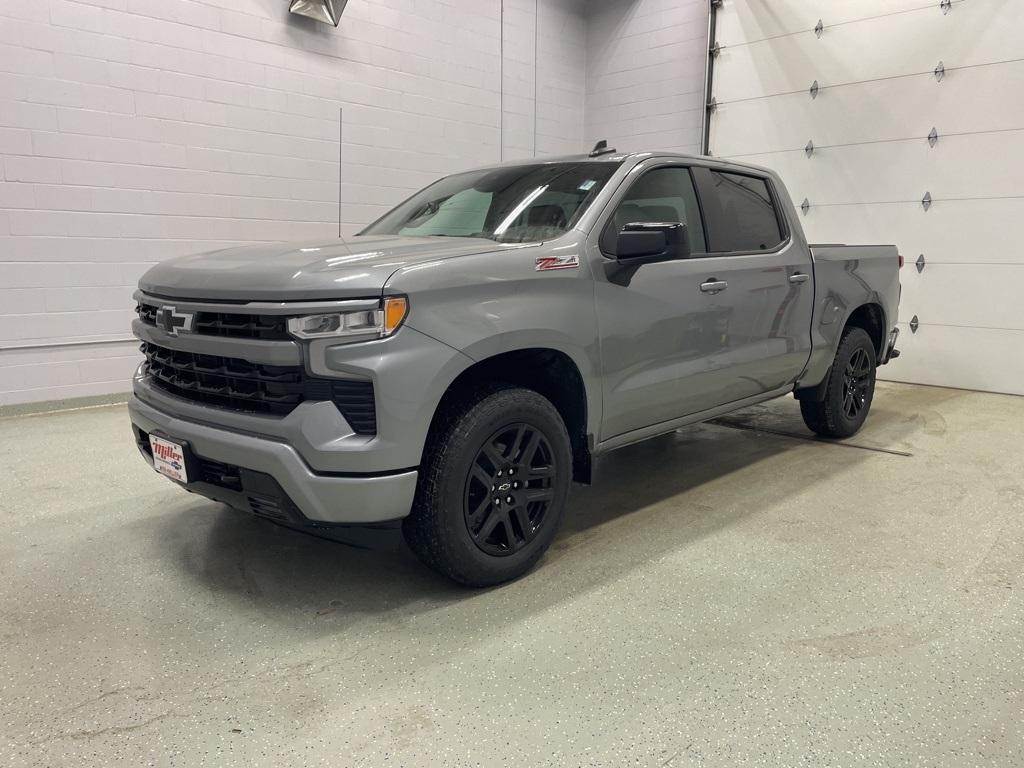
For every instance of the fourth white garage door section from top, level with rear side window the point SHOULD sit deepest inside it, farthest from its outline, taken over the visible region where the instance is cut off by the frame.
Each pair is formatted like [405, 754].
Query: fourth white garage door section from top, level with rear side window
[905, 172]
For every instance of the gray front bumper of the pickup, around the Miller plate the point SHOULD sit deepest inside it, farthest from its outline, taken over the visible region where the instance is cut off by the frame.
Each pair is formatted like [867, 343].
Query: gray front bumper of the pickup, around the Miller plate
[270, 478]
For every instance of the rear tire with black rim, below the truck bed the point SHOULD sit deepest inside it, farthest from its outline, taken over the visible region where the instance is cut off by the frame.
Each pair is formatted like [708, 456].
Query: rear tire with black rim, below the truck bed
[849, 392]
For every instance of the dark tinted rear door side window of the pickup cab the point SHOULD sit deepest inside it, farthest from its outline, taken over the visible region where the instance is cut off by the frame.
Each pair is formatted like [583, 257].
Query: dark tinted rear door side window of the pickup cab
[740, 211]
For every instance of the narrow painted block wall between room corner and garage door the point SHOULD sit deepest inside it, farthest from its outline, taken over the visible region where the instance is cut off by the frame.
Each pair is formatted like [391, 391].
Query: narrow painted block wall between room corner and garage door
[646, 75]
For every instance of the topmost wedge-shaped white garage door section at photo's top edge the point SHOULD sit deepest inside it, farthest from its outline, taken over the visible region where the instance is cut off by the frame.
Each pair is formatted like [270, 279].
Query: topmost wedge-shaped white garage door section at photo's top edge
[756, 20]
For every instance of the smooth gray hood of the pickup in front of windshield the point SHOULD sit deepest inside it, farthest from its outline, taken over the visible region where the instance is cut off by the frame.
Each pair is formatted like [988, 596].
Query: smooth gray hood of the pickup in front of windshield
[279, 272]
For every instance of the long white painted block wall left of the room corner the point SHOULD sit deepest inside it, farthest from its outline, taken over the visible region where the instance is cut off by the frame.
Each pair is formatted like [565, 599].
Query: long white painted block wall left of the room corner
[136, 131]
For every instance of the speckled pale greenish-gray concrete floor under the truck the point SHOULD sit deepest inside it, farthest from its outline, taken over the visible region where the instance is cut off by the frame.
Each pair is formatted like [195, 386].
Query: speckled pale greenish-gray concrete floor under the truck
[721, 598]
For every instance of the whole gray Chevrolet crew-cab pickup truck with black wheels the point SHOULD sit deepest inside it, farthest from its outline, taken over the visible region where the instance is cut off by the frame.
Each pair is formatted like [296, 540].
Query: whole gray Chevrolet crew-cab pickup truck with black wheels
[455, 367]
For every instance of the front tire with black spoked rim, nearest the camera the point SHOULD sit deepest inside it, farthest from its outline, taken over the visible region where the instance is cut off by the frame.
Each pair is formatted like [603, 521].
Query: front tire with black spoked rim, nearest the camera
[462, 524]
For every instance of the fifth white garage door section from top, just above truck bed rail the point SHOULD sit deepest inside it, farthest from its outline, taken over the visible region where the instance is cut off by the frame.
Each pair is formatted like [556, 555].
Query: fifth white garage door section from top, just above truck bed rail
[975, 232]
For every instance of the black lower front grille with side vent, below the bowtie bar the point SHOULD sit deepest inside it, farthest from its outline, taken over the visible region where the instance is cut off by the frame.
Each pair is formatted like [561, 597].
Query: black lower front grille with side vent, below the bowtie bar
[239, 386]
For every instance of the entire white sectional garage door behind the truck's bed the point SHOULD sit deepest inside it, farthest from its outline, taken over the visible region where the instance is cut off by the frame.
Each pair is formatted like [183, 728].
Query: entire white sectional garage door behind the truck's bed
[878, 99]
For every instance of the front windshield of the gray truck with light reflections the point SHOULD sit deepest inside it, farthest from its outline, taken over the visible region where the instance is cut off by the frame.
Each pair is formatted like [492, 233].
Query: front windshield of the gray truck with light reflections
[518, 204]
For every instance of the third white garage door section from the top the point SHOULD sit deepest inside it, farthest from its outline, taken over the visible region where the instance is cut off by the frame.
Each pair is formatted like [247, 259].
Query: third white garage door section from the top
[904, 108]
